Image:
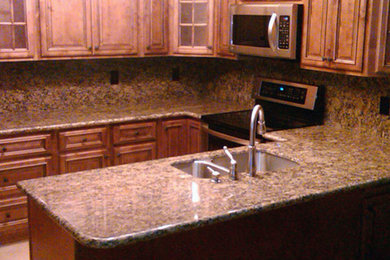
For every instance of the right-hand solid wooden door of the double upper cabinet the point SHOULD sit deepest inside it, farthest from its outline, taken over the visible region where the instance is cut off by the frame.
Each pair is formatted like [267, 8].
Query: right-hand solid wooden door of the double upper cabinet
[115, 27]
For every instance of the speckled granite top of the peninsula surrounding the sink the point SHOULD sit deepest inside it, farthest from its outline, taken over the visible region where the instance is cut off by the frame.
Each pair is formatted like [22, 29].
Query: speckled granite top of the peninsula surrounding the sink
[124, 204]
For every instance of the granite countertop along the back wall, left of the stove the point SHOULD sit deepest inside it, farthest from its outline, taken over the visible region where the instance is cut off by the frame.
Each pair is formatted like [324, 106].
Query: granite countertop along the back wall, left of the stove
[22, 122]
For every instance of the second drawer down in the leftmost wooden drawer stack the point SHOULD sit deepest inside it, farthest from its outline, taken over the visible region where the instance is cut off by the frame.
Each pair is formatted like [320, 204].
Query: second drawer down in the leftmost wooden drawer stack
[12, 172]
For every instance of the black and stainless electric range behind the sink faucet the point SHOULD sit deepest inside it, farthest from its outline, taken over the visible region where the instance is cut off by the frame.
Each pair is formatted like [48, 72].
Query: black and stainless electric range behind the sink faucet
[286, 105]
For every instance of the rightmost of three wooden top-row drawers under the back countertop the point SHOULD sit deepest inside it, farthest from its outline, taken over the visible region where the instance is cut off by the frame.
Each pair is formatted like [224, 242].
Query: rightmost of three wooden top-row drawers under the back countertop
[134, 132]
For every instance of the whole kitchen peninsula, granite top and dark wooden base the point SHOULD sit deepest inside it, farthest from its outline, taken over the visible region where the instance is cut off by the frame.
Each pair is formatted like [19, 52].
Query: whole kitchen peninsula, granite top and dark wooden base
[333, 204]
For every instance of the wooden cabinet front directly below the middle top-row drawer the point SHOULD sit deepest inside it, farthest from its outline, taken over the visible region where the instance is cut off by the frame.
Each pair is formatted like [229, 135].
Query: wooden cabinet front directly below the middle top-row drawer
[73, 162]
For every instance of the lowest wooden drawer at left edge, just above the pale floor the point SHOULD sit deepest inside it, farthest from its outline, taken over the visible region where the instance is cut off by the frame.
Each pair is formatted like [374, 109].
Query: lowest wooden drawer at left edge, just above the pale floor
[11, 210]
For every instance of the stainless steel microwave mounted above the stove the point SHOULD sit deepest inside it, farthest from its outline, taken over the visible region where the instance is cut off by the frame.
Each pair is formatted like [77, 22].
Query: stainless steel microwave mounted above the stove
[267, 30]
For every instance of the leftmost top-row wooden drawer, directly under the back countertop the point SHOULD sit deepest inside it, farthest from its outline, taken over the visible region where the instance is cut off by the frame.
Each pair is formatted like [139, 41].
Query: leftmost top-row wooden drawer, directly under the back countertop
[26, 145]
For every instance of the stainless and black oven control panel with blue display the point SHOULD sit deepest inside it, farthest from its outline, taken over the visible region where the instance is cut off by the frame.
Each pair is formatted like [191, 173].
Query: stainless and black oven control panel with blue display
[288, 93]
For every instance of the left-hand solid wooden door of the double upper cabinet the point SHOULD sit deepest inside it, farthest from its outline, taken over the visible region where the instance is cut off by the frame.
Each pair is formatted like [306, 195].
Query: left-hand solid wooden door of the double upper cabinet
[65, 27]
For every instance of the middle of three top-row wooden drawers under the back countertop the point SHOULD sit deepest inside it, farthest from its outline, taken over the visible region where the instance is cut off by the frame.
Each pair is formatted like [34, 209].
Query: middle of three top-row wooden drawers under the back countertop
[83, 139]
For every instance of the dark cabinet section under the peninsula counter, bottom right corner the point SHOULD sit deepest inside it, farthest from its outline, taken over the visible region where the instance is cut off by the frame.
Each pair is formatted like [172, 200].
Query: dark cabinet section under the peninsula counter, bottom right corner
[376, 226]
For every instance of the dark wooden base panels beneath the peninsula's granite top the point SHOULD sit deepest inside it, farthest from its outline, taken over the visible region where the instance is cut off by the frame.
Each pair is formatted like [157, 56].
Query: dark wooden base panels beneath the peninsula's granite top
[327, 228]
